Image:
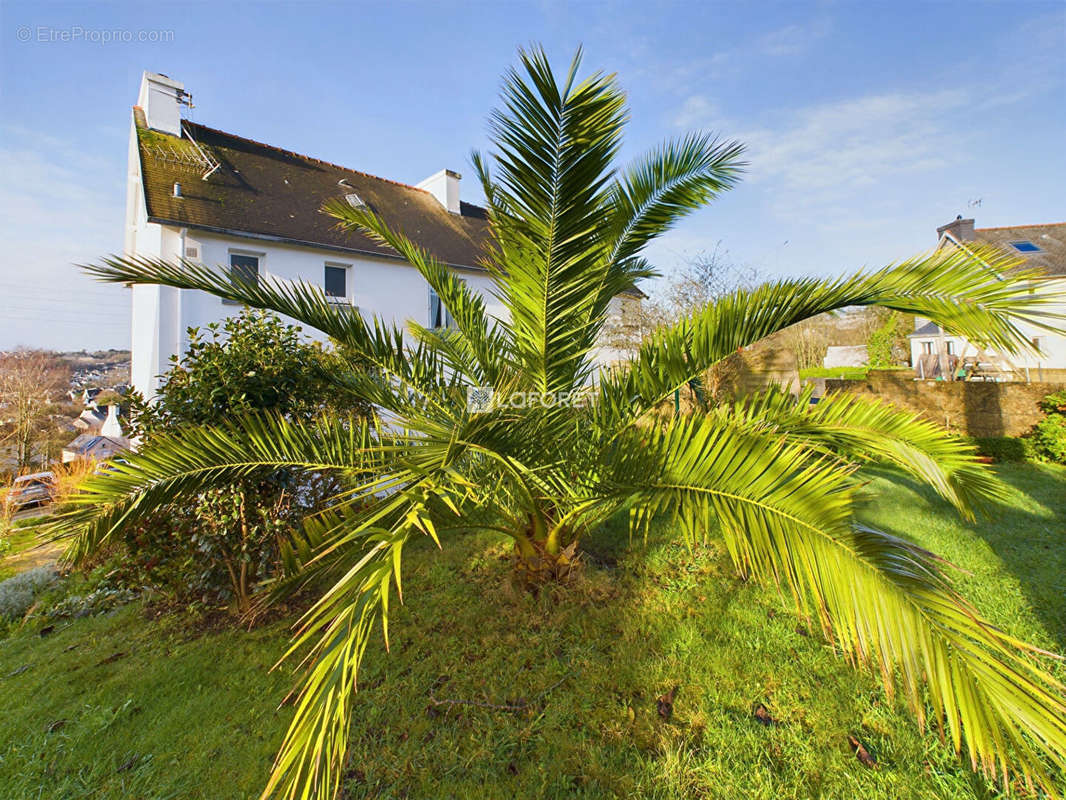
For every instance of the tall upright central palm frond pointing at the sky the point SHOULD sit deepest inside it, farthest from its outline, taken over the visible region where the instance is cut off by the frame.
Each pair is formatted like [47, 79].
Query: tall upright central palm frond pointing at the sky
[550, 207]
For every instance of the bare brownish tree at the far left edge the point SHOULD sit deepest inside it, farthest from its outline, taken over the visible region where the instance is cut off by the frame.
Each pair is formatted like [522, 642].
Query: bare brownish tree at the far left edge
[29, 382]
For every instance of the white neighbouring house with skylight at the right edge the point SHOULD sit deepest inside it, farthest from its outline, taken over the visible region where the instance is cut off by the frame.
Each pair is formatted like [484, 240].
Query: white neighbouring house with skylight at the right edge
[935, 355]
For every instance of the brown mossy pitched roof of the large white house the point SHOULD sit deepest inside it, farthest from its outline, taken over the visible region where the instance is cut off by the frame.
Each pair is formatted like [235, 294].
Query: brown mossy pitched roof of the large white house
[268, 191]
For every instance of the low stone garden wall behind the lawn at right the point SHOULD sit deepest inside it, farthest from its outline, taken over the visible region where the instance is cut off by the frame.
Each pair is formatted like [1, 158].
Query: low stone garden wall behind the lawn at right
[972, 408]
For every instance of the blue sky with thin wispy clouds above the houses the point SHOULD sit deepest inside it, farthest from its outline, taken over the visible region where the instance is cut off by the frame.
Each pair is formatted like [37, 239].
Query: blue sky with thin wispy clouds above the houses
[868, 124]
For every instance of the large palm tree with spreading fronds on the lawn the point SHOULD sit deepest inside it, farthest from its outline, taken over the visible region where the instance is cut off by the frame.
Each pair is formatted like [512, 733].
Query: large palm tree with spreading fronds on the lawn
[774, 479]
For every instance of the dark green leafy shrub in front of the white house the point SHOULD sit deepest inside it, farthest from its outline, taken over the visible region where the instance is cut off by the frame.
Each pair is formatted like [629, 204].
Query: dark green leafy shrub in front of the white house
[230, 538]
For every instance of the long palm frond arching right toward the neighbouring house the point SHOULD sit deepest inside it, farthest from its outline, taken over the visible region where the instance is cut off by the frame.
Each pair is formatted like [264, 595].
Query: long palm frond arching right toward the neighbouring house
[982, 295]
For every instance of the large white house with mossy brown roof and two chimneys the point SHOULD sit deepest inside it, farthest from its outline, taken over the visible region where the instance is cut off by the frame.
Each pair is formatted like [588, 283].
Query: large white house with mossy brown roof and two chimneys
[215, 198]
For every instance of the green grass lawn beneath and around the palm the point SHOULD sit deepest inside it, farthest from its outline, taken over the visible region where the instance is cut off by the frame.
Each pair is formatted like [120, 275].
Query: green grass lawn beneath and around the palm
[186, 714]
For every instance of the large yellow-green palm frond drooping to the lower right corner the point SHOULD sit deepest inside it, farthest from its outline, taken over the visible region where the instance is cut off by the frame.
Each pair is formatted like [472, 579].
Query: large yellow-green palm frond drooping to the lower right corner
[786, 517]
